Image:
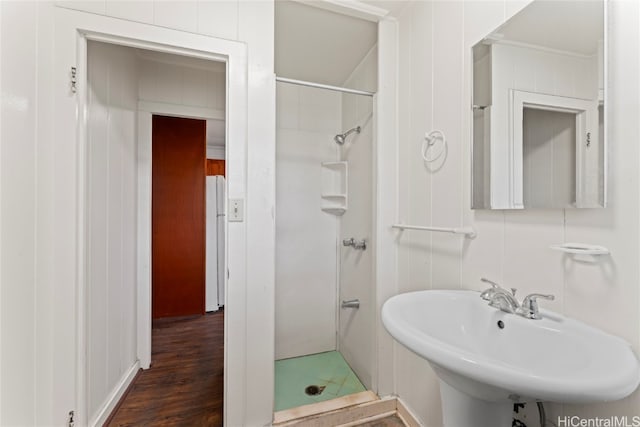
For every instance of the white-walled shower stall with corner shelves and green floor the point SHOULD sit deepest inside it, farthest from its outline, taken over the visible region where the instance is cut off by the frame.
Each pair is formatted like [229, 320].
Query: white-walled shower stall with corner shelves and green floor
[325, 189]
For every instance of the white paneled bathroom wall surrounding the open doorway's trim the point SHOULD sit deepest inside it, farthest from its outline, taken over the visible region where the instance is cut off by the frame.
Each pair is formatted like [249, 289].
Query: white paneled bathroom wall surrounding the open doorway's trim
[33, 391]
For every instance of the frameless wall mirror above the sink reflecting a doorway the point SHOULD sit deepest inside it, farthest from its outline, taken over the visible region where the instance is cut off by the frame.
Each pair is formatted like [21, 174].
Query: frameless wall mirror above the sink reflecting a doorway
[538, 109]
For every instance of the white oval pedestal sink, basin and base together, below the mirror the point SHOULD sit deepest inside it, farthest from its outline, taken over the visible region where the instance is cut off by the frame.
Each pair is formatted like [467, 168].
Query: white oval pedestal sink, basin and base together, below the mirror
[487, 359]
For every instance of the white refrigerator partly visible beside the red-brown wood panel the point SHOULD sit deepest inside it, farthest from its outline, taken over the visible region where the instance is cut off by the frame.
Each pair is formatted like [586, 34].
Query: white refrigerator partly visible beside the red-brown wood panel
[215, 243]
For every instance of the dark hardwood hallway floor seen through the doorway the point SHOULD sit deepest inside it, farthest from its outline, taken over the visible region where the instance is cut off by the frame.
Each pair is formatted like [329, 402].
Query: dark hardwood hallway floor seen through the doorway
[184, 386]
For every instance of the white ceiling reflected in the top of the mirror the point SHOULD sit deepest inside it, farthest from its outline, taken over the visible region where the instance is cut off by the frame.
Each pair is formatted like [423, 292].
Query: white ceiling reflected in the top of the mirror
[572, 26]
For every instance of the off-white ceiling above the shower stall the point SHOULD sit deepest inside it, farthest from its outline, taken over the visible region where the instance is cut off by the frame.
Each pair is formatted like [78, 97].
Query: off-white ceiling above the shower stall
[318, 45]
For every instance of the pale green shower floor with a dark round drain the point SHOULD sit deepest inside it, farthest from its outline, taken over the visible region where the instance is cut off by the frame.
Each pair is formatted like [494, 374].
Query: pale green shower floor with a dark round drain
[328, 370]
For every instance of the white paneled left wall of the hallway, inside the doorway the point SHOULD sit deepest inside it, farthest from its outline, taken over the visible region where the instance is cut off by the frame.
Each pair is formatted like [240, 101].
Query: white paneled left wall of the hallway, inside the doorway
[111, 285]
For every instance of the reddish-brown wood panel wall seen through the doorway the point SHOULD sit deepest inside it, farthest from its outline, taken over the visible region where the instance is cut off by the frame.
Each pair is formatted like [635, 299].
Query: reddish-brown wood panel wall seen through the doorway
[178, 216]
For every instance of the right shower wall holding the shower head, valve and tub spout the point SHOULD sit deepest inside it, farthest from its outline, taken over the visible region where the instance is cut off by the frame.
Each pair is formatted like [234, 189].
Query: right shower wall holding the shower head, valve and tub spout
[356, 333]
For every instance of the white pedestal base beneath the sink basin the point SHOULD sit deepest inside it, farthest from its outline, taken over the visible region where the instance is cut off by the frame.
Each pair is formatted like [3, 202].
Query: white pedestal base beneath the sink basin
[462, 410]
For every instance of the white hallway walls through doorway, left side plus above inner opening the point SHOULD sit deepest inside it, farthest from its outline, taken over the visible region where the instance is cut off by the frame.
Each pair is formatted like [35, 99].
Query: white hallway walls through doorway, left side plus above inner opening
[119, 77]
